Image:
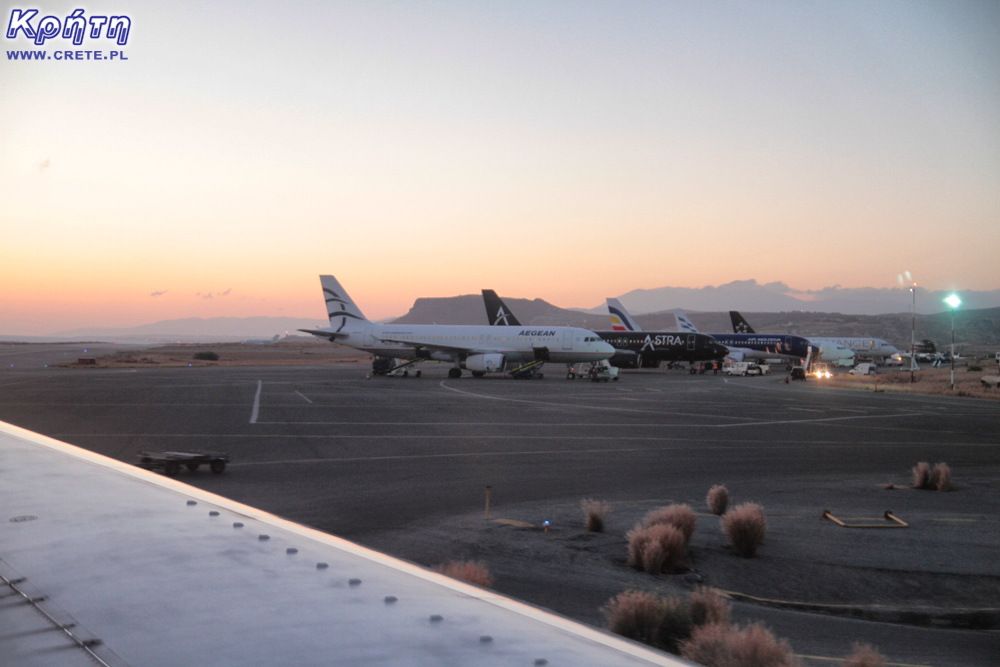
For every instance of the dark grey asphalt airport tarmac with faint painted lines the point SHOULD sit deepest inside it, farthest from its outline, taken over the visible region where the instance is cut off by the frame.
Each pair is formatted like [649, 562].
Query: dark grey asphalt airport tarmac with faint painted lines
[402, 464]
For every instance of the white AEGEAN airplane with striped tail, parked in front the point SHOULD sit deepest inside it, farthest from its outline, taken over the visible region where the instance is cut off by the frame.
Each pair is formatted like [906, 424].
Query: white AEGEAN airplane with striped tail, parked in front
[478, 348]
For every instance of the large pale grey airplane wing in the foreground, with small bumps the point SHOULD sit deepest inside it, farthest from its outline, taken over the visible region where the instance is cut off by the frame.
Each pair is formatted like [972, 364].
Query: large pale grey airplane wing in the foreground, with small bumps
[105, 563]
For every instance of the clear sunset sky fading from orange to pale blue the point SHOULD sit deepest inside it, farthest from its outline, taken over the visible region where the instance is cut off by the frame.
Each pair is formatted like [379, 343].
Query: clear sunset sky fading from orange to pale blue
[561, 150]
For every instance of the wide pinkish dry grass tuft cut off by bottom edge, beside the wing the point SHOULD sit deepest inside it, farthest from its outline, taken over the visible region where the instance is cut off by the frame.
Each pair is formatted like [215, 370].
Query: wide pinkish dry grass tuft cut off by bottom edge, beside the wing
[733, 646]
